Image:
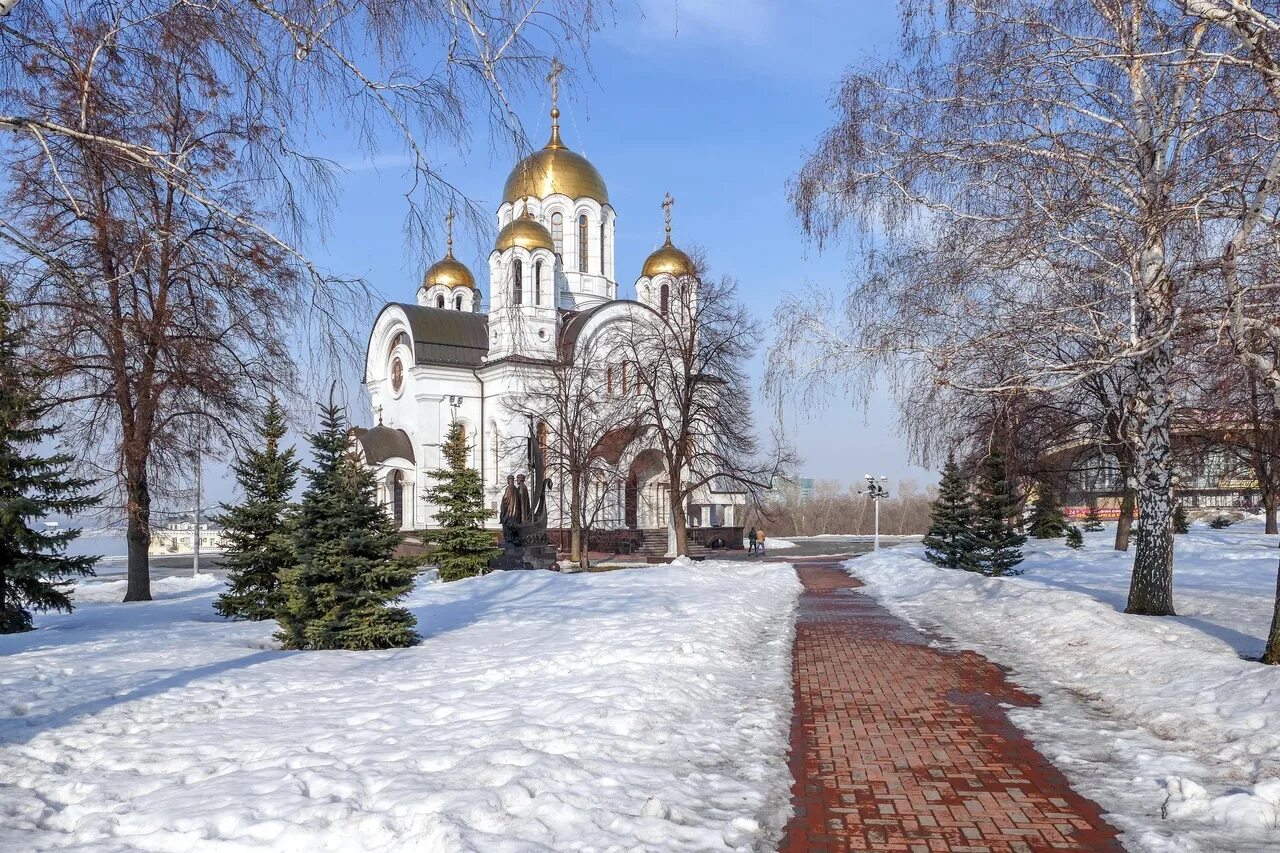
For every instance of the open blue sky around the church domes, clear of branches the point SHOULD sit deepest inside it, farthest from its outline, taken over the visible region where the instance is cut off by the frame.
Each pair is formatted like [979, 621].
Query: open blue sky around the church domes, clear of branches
[714, 102]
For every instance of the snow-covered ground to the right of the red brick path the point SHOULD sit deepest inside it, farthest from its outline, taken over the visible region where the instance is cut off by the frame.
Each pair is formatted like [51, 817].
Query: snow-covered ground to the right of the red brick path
[1163, 722]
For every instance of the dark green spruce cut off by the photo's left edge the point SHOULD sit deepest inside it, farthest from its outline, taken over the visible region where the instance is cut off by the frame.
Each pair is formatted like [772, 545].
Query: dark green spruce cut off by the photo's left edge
[35, 571]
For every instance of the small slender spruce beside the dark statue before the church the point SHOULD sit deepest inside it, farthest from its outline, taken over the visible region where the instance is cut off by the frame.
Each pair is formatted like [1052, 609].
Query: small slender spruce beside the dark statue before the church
[463, 546]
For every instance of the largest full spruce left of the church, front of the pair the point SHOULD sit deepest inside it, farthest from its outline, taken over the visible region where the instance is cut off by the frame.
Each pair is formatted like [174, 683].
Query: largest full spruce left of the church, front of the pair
[341, 591]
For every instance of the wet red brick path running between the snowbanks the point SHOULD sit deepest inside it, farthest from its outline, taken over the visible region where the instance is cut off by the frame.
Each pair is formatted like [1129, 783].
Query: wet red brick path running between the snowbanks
[897, 746]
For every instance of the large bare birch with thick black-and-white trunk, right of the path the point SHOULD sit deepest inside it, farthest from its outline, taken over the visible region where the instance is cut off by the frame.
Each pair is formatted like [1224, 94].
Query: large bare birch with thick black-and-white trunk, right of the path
[1034, 154]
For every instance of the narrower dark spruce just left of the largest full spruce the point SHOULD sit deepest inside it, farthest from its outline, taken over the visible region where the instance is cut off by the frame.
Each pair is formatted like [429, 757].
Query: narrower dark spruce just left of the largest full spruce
[258, 530]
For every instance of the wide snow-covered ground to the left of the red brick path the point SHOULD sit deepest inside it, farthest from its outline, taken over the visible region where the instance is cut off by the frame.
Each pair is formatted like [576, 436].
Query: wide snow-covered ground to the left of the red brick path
[643, 710]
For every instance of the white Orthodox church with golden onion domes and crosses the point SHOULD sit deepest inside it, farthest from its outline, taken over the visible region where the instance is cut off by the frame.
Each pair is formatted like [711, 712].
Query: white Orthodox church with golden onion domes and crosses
[552, 282]
